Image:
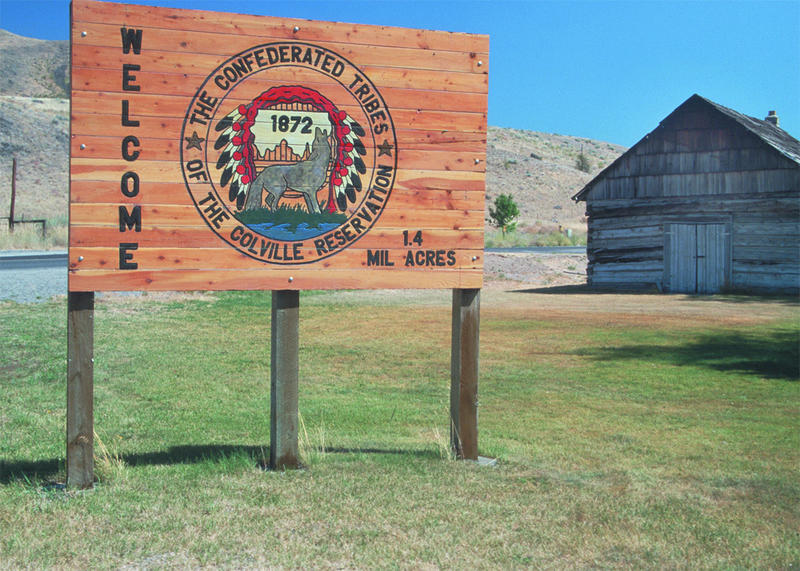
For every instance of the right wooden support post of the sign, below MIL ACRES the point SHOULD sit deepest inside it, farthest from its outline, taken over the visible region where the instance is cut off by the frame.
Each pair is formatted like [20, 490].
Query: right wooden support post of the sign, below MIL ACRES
[464, 355]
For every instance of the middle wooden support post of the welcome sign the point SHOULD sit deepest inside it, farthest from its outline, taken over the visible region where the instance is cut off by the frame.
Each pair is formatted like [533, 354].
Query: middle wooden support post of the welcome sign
[284, 364]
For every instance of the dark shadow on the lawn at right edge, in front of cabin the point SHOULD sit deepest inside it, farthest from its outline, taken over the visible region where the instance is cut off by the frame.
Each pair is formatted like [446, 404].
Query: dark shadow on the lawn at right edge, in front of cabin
[772, 355]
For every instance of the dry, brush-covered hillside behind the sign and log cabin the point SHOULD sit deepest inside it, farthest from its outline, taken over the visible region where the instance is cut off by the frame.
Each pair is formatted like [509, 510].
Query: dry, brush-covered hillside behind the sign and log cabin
[537, 169]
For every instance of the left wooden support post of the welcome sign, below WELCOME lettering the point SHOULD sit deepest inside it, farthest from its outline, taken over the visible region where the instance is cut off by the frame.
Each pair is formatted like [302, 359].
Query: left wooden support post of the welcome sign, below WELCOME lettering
[80, 384]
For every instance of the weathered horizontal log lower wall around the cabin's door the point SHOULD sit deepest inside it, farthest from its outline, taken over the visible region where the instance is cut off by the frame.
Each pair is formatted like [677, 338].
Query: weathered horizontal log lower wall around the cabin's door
[627, 239]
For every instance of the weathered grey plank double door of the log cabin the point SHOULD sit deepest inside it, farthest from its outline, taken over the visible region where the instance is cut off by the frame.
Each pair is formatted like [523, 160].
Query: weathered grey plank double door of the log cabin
[697, 258]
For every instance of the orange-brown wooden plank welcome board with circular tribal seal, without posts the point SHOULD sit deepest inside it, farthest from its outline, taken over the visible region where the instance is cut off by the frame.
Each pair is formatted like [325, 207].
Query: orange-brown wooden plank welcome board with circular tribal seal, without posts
[220, 151]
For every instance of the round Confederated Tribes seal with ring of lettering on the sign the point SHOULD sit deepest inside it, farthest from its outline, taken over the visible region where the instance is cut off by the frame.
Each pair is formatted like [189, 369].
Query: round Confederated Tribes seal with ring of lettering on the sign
[289, 152]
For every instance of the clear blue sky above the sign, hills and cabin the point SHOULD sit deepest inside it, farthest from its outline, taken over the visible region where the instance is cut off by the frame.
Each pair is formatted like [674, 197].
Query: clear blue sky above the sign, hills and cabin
[603, 70]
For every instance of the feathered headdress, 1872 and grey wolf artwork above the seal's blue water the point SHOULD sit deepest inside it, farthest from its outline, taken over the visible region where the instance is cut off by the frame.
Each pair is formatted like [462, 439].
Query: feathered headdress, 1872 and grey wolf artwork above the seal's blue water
[334, 156]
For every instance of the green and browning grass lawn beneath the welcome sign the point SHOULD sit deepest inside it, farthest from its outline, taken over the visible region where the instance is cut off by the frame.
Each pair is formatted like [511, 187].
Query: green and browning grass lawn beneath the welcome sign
[630, 431]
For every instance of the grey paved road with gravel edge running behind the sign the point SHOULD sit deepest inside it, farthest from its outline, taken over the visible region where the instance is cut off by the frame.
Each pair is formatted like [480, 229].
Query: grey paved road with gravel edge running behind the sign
[27, 276]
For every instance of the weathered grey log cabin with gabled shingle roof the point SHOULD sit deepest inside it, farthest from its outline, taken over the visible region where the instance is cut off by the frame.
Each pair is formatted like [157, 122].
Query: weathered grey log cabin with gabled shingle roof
[707, 202]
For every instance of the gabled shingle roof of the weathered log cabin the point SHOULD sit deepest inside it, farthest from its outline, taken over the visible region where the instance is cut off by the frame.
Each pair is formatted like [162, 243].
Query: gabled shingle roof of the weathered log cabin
[770, 134]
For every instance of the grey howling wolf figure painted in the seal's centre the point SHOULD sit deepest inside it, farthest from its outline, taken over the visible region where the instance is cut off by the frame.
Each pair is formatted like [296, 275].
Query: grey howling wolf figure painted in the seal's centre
[305, 177]
